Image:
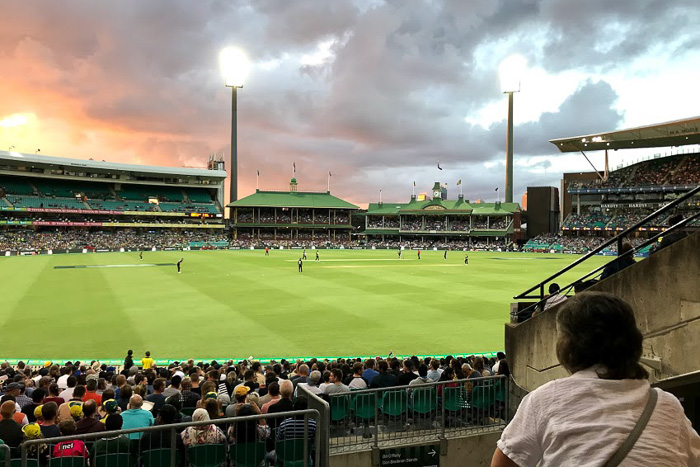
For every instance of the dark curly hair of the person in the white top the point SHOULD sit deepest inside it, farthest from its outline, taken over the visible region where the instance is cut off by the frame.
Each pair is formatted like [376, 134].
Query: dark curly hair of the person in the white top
[598, 328]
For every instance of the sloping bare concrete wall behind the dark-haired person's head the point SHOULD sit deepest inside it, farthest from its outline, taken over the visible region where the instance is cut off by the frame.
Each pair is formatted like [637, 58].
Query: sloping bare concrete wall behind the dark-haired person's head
[664, 291]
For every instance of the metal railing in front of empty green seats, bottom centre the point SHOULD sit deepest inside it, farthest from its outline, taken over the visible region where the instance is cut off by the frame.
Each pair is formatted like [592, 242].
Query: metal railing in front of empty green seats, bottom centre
[402, 415]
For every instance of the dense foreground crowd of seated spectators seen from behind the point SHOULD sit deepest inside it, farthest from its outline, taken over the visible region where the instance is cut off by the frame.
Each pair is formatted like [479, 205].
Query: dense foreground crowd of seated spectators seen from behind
[80, 398]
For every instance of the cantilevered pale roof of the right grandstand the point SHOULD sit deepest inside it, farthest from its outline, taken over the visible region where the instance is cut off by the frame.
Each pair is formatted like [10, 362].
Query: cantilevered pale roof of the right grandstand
[676, 133]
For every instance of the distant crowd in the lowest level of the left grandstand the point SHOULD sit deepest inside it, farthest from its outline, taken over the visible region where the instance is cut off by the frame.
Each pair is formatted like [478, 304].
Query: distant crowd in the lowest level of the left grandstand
[30, 240]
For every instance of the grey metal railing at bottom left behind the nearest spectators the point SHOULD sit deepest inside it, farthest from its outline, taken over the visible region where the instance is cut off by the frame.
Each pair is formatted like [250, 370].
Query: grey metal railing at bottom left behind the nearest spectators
[237, 443]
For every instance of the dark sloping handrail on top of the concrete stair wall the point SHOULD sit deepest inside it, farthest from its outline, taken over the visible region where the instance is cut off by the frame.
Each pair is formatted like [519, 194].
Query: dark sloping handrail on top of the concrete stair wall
[540, 287]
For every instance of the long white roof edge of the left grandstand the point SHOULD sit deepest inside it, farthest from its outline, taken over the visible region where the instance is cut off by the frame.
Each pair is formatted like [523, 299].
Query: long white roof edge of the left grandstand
[16, 158]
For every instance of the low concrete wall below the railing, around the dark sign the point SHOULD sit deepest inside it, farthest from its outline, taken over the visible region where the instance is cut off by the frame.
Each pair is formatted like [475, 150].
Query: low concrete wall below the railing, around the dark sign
[474, 451]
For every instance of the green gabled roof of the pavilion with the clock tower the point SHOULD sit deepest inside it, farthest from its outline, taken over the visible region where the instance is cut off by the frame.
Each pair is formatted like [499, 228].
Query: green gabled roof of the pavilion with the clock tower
[439, 206]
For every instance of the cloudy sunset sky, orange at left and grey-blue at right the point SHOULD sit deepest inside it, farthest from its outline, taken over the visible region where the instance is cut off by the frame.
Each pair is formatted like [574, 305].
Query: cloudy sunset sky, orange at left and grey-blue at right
[375, 92]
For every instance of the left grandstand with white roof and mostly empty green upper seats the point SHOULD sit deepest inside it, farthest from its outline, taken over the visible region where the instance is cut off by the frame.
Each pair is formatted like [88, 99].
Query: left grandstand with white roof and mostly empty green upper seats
[50, 196]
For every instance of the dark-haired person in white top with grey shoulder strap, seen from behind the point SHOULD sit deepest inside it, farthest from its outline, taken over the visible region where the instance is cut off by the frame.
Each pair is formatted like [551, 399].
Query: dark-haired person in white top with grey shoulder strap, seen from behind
[586, 417]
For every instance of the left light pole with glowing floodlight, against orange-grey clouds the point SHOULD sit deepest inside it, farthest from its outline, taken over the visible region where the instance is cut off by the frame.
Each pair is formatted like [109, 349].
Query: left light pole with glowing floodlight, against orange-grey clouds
[234, 67]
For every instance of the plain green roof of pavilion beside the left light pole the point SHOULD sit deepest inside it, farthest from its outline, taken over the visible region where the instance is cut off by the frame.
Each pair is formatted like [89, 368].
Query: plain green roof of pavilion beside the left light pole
[292, 199]
